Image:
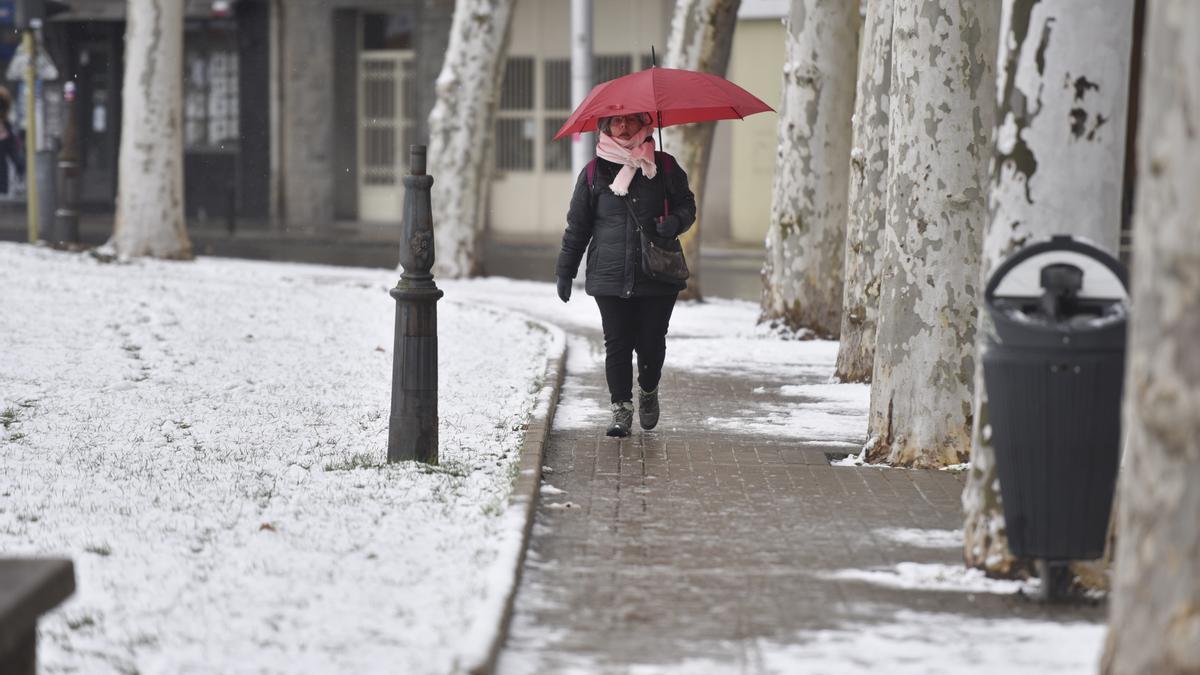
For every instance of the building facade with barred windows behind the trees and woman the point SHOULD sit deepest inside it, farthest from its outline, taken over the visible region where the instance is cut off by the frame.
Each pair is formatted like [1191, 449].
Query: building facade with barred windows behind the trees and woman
[298, 114]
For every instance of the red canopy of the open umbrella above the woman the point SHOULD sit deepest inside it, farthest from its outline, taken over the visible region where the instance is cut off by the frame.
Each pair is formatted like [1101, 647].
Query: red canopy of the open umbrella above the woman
[679, 97]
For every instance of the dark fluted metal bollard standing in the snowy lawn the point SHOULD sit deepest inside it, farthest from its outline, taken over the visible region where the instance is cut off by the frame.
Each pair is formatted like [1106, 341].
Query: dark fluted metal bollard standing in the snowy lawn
[413, 426]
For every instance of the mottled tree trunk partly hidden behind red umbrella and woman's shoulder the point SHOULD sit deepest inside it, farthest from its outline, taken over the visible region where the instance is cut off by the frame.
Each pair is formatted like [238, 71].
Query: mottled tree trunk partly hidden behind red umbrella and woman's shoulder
[701, 39]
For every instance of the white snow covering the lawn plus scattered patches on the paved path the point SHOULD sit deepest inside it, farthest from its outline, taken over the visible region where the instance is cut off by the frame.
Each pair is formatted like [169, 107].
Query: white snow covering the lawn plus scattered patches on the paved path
[207, 441]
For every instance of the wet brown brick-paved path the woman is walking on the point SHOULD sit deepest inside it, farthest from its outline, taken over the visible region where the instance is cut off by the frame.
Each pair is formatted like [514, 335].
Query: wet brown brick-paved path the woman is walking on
[691, 549]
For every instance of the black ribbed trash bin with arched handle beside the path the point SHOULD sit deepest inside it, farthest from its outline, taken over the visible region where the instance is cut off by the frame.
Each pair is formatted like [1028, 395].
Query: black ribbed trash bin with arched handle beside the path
[1054, 369]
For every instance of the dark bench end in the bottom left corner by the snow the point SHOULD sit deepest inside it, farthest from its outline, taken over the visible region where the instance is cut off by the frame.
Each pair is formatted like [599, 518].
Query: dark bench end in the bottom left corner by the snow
[29, 588]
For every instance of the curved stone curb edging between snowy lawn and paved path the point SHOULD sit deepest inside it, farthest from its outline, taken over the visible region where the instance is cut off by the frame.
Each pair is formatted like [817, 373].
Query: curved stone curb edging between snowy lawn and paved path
[484, 644]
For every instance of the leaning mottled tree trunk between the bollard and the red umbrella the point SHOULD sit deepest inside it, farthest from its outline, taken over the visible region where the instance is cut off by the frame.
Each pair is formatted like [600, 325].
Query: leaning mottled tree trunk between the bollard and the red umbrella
[461, 132]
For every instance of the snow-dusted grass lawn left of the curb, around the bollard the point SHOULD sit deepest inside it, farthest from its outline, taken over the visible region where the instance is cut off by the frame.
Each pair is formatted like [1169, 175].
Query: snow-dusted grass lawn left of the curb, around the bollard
[208, 443]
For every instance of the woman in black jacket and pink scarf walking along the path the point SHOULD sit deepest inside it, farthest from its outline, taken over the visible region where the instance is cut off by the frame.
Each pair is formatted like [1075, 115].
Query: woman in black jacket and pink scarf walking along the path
[626, 188]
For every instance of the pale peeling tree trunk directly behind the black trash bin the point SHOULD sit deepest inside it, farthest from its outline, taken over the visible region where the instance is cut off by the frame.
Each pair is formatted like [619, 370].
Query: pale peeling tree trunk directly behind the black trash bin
[1058, 169]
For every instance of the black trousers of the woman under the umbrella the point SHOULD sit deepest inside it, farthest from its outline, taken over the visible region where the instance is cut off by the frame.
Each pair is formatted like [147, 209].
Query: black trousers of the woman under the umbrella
[633, 325]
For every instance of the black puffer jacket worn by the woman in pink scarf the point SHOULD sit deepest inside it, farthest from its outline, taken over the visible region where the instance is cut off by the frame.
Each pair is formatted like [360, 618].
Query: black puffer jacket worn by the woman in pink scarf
[601, 223]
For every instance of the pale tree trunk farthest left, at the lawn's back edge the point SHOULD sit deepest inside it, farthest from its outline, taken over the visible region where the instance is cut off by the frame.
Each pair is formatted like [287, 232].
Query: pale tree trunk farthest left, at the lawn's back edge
[151, 169]
